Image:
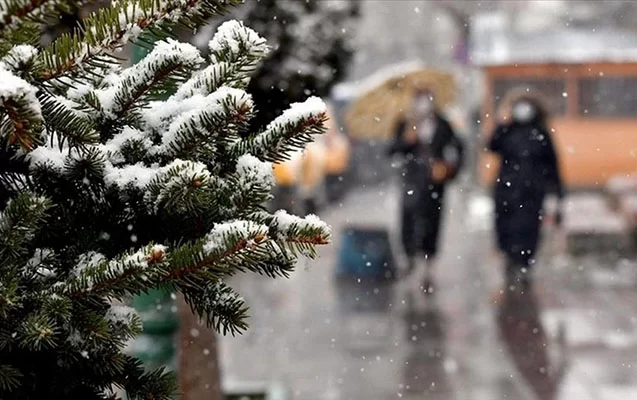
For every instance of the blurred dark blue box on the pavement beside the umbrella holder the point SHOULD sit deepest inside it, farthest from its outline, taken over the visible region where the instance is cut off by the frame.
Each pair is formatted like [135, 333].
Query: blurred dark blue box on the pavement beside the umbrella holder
[366, 253]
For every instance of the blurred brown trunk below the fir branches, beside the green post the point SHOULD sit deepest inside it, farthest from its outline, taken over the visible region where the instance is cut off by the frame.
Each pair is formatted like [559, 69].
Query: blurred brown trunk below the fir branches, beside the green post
[199, 372]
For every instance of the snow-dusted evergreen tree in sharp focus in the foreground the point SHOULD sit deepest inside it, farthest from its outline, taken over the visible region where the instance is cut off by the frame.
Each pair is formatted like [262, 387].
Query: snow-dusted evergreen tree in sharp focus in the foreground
[112, 187]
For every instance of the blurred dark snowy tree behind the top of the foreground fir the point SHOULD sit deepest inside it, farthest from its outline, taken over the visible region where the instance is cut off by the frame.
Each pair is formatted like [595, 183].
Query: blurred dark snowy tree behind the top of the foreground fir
[311, 48]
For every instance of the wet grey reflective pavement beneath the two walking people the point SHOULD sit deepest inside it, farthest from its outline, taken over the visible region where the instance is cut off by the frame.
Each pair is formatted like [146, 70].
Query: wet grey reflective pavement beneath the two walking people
[574, 336]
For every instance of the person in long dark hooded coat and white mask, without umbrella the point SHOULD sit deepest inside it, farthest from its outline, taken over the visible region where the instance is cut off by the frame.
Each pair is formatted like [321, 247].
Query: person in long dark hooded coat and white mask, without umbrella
[528, 170]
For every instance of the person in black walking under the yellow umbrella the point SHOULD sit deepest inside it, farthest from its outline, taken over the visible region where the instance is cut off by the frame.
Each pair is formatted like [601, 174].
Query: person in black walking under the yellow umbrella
[432, 155]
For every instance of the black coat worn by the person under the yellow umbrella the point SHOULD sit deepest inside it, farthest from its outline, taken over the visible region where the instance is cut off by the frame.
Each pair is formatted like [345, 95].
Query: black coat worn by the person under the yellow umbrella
[423, 199]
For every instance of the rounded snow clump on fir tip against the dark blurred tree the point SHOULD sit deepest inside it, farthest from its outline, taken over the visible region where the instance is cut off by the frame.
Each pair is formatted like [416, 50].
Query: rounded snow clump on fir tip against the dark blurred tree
[232, 36]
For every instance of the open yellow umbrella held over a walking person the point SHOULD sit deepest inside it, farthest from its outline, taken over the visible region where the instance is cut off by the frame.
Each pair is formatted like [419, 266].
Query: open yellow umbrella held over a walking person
[375, 114]
